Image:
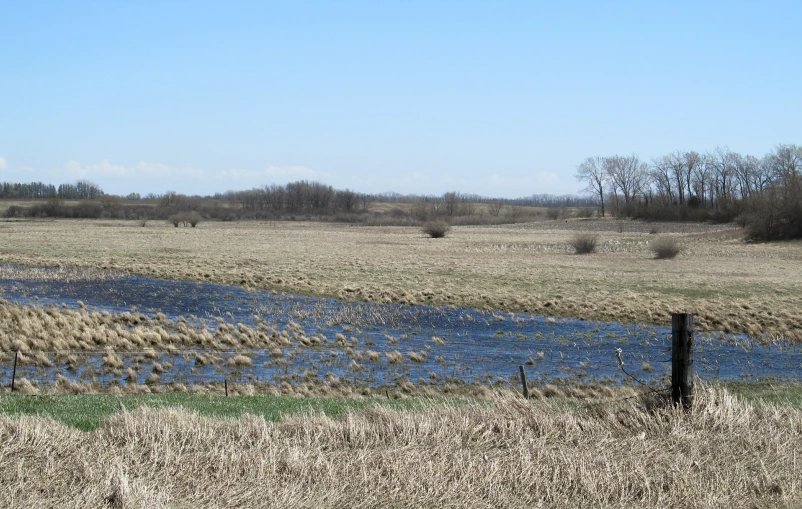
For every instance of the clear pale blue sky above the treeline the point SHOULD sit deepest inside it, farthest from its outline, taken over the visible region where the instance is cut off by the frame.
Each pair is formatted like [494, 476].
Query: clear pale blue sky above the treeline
[496, 97]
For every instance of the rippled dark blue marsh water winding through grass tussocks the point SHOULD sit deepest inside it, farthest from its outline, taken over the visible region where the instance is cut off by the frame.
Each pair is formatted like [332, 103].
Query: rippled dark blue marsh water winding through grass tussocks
[473, 346]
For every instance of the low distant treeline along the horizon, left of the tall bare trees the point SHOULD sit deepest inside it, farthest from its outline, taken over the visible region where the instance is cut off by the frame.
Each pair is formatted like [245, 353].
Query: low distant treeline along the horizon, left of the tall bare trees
[296, 200]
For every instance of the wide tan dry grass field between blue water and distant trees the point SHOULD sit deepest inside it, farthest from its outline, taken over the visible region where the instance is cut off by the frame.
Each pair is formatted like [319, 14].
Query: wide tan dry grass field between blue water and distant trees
[743, 287]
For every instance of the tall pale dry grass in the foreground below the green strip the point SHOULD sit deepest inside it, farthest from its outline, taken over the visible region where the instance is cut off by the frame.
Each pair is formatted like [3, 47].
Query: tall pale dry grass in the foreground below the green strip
[510, 453]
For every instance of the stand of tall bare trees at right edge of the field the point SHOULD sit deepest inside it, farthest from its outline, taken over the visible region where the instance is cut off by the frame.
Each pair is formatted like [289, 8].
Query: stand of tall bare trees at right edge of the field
[763, 193]
